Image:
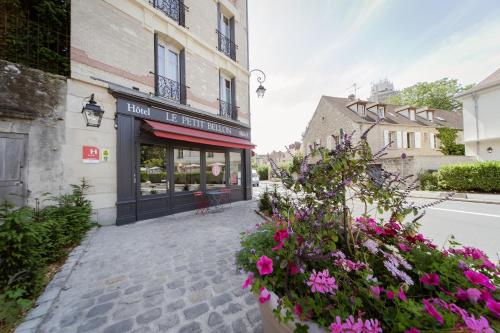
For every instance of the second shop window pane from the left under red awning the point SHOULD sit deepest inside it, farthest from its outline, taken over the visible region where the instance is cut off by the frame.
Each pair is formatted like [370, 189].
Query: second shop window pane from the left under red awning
[186, 169]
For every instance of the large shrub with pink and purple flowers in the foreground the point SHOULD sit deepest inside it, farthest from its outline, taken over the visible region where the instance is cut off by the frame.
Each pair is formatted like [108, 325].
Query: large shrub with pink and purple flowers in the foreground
[370, 273]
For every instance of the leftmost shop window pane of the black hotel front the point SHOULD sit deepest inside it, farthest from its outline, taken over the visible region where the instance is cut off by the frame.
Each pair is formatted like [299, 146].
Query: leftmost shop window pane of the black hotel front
[153, 173]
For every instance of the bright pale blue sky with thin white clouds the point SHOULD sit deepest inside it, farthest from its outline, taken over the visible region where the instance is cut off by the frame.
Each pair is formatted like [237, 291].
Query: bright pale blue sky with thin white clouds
[310, 48]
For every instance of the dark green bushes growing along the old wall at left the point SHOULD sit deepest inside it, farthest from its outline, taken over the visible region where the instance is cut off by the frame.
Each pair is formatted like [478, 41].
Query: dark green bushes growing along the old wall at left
[31, 239]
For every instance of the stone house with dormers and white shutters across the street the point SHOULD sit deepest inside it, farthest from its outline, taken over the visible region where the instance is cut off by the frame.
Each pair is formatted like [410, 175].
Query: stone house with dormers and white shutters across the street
[405, 129]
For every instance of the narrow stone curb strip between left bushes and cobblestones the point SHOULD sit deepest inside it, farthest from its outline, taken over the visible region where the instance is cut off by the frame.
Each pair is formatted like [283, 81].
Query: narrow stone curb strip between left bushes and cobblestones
[37, 315]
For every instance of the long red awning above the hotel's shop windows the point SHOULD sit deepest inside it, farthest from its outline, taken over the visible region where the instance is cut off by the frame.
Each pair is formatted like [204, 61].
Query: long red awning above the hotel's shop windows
[173, 132]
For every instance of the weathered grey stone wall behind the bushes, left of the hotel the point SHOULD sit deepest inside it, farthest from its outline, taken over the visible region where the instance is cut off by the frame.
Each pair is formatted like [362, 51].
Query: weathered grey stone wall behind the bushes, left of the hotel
[32, 106]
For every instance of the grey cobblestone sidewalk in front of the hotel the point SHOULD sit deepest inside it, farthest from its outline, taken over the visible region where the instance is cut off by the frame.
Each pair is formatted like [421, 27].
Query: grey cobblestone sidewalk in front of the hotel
[172, 274]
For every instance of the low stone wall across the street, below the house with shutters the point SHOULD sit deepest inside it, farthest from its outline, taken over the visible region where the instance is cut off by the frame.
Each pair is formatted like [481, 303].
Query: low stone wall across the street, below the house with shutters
[413, 165]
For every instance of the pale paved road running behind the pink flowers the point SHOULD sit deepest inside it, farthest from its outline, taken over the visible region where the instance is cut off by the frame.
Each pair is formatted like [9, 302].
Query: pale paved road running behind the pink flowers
[472, 224]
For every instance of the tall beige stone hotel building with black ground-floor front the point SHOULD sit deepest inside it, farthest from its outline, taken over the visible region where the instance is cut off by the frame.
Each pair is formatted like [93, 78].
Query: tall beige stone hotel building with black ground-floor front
[172, 78]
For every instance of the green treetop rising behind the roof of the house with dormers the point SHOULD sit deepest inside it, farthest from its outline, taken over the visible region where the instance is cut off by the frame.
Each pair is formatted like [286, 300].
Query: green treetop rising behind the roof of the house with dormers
[438, 94]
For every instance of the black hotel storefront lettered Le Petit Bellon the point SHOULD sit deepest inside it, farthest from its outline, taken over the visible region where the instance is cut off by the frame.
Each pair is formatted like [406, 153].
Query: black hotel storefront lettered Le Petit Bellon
[166, 152]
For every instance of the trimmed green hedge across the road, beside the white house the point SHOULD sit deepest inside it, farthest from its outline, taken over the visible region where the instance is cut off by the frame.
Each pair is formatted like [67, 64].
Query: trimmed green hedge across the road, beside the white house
[478, 177]
